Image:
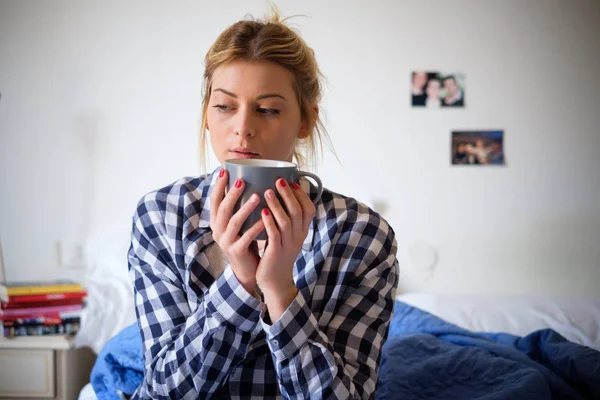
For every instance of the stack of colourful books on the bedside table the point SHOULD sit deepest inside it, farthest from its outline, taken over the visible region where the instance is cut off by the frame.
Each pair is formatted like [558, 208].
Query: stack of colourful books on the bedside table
[42, 308]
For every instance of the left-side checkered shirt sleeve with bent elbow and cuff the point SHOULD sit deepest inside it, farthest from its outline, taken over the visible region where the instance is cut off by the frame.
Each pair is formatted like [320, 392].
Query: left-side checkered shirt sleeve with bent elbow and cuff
[188, 353]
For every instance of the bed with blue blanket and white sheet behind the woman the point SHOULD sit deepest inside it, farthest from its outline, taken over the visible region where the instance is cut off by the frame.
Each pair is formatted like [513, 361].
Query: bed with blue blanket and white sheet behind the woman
[467, 345]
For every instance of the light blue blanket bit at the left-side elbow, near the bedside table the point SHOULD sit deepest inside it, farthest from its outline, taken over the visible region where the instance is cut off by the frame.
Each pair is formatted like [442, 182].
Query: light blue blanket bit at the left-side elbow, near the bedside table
[120, 365]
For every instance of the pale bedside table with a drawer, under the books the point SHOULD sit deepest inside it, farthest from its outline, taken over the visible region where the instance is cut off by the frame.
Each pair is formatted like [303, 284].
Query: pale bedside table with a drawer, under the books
[49, 367]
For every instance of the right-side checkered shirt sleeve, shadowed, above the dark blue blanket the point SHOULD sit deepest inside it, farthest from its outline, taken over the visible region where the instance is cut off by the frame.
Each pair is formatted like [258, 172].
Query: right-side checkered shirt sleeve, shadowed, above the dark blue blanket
[339, 360]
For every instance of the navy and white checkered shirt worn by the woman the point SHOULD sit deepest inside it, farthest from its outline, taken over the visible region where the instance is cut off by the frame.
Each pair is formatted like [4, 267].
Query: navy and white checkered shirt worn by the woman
[205, 336]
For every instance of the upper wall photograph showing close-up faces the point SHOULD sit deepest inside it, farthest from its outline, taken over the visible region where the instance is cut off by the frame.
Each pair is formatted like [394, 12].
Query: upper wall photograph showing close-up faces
[437, 89]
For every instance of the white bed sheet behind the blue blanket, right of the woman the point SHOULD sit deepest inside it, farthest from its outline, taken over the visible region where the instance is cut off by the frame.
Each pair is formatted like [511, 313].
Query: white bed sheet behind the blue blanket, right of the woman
[577, 319]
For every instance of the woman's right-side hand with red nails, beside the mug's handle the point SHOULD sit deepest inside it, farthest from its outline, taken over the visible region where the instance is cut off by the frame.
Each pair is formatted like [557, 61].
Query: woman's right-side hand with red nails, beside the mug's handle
[286, 233]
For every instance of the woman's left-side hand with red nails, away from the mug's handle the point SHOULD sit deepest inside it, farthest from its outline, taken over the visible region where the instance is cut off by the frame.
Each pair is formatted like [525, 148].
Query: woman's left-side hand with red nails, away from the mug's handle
[242, 258]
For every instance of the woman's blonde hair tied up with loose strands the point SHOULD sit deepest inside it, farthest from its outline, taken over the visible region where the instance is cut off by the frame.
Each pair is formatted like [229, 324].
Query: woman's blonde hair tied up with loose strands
[271, 40]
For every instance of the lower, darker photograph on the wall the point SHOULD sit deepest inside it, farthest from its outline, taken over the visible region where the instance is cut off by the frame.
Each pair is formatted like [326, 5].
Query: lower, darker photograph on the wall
[477, 148]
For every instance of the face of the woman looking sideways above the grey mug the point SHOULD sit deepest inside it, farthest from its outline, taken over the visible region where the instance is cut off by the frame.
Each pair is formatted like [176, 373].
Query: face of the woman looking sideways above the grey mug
[253, 112]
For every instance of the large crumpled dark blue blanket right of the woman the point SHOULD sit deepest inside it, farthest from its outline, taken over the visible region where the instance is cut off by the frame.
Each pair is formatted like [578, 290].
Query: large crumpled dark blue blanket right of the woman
[426, 357]
